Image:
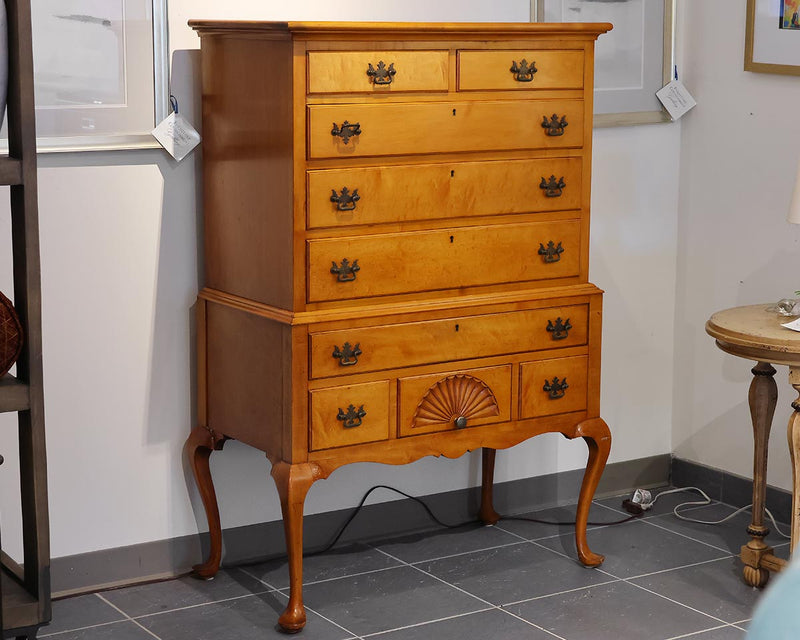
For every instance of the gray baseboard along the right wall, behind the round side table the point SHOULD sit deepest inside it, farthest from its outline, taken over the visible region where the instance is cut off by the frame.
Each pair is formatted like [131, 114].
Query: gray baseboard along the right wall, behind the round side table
[728, 487]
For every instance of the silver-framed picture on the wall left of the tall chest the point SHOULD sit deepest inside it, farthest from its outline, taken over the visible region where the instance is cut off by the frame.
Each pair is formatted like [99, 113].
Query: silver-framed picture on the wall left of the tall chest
[100, 73]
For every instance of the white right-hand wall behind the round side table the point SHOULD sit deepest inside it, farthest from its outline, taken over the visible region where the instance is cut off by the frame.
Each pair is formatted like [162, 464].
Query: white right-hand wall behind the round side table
[739, 154]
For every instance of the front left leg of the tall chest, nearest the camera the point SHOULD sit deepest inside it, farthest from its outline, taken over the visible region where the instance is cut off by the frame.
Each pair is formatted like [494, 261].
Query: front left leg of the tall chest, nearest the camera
[293, 482]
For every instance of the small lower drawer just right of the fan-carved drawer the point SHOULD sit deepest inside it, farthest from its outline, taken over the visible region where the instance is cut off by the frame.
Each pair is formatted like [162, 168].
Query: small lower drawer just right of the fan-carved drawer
[549, 387]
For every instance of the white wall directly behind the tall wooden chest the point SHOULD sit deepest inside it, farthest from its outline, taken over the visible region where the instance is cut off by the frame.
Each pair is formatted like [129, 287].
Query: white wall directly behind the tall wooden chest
[120, 274]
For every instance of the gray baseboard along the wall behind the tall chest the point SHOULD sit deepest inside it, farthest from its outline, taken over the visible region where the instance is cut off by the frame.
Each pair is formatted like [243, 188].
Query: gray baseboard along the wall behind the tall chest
[167, 558]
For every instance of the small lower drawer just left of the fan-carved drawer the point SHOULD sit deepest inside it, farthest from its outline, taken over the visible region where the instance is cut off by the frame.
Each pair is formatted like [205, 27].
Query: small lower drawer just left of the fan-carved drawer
[348, 415]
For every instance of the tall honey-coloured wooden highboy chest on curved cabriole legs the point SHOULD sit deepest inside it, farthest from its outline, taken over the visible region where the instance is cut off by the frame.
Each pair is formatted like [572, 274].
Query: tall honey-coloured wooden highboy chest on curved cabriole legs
[396, 251]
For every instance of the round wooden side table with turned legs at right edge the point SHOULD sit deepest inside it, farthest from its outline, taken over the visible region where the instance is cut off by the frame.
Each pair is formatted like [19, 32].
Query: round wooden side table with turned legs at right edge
[753, 332]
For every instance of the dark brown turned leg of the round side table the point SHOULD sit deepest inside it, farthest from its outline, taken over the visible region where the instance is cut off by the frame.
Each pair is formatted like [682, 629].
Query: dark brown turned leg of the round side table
[763, 397]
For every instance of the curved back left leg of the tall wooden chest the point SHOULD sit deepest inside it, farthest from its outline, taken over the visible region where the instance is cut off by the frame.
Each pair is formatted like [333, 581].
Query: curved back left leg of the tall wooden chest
[199, 445]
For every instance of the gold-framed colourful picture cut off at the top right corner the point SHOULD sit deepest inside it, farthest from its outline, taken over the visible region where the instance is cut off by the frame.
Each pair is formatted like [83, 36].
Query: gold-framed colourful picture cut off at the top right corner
[772, 37]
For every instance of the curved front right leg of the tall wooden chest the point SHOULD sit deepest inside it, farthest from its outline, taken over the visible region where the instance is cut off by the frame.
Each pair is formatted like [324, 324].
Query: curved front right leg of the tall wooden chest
[598, 438]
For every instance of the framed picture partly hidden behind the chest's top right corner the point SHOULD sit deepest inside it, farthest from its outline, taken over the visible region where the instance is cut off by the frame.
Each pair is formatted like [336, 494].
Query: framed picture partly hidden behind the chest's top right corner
[632, 61]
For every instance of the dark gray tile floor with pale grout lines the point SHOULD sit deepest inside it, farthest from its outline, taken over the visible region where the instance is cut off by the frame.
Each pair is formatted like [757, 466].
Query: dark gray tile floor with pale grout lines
[662, 579]
